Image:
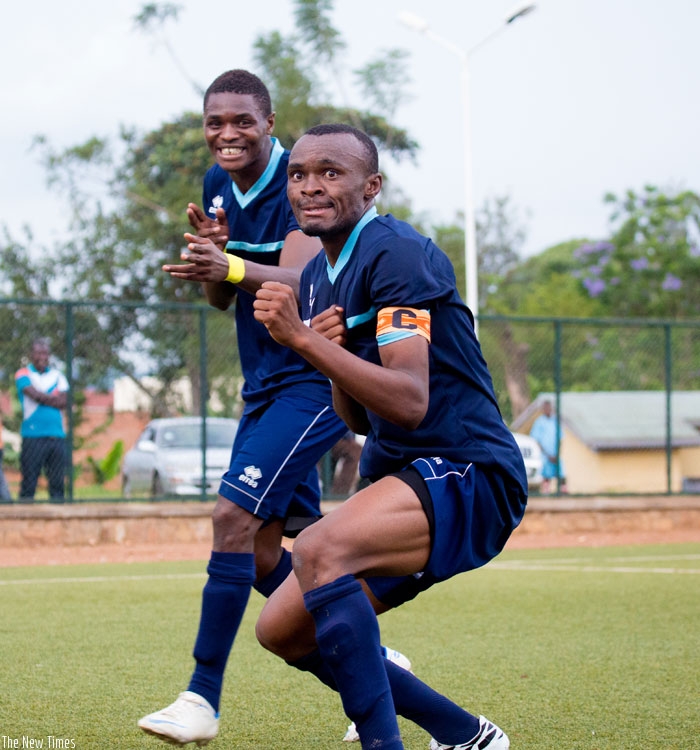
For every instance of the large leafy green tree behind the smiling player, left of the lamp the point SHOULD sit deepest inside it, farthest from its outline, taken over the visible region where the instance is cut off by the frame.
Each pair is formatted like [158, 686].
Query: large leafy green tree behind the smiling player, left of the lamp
[127, 197]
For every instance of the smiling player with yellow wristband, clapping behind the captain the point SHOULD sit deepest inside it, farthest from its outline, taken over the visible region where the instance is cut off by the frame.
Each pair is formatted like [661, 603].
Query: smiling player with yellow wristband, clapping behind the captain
[245, 234]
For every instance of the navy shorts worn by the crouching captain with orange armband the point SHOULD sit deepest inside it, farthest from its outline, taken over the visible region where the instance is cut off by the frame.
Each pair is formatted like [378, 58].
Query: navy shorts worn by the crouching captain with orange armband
[473, 514]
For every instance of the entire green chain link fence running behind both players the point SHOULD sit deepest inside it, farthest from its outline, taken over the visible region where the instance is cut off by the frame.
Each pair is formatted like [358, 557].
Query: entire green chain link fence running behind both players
[625, 396]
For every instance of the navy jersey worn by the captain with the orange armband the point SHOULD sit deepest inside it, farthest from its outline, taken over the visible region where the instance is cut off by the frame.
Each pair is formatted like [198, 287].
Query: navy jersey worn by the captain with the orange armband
[387, 264]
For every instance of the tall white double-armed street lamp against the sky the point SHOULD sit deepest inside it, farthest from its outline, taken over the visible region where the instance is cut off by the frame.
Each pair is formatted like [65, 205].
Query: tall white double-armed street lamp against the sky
[470, 250]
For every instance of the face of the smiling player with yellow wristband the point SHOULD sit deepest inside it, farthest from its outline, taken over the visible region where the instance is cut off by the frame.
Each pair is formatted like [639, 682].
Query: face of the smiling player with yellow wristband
[237, 133]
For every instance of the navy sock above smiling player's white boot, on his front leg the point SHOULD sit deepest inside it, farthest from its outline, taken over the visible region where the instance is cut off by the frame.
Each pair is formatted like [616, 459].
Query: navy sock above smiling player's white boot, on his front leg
[224, 599]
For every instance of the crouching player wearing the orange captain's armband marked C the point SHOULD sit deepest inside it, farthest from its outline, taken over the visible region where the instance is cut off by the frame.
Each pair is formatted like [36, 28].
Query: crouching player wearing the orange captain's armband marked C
[382, 318]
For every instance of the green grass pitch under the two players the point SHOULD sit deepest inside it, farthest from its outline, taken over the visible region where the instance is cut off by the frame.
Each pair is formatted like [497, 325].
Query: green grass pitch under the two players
[591, 649]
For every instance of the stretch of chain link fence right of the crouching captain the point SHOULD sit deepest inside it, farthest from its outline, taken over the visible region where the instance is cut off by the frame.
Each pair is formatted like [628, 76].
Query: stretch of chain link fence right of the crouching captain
[625, 395]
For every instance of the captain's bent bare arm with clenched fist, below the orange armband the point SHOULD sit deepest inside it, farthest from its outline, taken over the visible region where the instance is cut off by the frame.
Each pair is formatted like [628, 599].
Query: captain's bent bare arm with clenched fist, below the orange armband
[403, 372]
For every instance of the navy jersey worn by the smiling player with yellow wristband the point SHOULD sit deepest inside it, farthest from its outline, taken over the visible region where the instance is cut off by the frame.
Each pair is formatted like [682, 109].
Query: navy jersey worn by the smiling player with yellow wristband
[259, 221]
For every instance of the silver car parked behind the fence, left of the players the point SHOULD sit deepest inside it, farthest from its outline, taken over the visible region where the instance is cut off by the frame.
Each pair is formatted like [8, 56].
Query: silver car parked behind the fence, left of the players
[167, 458]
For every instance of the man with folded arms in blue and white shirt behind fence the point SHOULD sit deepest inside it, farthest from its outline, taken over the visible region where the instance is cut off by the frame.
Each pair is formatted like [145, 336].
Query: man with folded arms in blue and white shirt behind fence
[43, 394]
